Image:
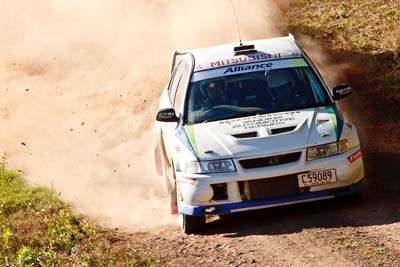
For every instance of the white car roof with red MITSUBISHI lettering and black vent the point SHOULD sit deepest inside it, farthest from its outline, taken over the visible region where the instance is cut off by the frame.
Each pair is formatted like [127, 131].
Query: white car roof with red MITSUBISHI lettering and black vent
[266, 49]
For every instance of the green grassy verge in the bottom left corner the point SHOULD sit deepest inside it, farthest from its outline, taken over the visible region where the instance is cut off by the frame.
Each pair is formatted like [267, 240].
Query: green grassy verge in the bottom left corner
[37, 229]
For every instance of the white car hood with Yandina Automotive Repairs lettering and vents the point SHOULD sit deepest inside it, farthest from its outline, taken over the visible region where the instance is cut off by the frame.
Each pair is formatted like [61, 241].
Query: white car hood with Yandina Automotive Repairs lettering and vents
[263, 134]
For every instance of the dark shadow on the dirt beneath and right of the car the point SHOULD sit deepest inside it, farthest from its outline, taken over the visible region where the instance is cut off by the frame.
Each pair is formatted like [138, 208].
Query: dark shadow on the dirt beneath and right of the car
[379, 205]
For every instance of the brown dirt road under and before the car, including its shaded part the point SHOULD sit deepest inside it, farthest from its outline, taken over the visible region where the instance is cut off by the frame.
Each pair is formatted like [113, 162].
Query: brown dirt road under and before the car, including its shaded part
[329, 233]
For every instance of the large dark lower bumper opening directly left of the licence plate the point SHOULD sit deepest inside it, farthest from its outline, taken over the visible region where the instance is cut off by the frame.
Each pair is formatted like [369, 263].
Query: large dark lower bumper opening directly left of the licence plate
[270, 188]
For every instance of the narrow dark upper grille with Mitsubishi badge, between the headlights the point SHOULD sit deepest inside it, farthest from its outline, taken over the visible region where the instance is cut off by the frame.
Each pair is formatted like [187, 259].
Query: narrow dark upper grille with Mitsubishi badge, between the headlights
[270, 161]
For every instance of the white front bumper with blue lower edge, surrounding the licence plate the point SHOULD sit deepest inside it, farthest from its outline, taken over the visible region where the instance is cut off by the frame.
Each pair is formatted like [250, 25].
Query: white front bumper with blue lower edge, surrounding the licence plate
[195, 193]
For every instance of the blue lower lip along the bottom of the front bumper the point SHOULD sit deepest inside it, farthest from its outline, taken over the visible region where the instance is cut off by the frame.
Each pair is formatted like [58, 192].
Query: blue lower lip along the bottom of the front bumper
[261, 204]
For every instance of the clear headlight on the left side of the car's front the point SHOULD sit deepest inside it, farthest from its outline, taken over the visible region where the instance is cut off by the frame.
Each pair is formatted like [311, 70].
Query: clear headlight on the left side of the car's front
[213, 166]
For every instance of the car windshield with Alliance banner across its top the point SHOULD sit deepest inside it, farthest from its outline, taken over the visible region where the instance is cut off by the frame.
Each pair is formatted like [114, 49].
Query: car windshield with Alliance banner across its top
[222, 94]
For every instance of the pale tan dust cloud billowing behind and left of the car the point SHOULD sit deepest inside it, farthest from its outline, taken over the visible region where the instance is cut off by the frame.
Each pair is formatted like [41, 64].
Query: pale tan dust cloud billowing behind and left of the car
[79, 87]
